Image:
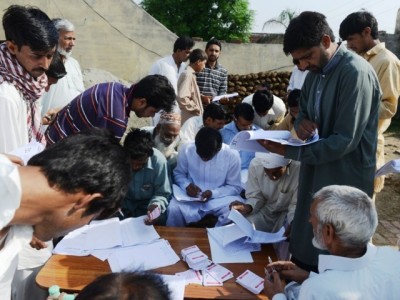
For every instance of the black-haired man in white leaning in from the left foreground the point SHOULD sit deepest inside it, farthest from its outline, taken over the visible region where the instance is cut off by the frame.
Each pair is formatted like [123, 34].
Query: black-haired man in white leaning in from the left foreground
[61, 189]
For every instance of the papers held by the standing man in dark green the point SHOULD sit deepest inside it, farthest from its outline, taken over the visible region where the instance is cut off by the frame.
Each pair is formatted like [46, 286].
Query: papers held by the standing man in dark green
[247, 140]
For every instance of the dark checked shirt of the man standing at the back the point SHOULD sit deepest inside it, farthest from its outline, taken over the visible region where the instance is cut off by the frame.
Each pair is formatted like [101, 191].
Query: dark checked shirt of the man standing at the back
[213, 82]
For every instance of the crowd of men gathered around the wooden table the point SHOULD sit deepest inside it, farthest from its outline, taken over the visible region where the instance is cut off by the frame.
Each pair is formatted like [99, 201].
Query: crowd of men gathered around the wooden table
[93, 166]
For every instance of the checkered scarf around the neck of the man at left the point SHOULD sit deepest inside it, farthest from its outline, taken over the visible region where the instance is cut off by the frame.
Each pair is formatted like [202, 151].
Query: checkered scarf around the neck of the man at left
[12, 71]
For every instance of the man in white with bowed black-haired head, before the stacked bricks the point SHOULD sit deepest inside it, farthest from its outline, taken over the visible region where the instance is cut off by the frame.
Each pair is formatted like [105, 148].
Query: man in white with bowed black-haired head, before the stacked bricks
[270, 110]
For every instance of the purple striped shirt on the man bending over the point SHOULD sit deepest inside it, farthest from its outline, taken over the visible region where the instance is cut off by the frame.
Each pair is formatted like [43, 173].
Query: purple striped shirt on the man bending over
[105, 105]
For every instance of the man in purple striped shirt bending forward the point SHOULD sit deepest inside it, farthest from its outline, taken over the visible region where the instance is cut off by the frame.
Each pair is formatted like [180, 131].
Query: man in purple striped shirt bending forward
[107, 105]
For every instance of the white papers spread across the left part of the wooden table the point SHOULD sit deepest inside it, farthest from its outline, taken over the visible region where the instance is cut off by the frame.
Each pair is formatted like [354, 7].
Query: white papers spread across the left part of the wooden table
[130, 244]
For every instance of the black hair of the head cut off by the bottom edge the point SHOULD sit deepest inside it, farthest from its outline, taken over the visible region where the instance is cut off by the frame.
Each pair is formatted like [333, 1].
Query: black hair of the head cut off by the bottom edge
[138, 285]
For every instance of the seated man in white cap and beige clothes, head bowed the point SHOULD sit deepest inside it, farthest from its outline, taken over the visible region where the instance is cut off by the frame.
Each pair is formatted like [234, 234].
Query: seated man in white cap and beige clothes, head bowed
[271, 192]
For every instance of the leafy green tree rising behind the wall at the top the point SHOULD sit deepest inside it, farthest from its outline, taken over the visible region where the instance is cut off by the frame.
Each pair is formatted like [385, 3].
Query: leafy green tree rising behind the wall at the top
[224, 19]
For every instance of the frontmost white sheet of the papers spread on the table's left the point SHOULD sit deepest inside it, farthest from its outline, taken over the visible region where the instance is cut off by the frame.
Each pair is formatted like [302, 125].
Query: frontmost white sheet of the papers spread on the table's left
[143, 257]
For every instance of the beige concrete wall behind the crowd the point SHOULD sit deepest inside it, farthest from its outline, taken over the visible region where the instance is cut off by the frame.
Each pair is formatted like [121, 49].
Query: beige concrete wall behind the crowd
[120, 37]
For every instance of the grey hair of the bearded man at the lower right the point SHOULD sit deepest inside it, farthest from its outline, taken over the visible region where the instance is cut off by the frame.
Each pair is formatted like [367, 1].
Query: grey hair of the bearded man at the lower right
[350, 211]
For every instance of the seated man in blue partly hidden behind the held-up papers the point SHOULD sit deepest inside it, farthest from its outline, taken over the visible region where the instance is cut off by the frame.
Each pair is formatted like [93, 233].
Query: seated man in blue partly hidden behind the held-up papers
[243, 120]
